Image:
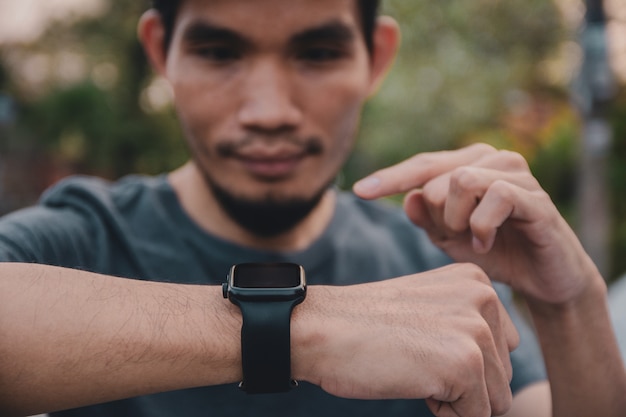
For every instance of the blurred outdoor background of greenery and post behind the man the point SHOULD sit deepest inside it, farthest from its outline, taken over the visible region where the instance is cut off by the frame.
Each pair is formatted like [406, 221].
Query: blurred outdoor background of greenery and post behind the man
[542, 77]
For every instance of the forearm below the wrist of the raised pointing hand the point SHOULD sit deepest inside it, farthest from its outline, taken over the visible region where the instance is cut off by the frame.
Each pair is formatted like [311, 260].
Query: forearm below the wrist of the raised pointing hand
[583, 361]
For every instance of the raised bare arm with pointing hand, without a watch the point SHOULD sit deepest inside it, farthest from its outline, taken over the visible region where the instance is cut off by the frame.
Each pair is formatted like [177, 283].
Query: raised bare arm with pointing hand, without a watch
[484, 206]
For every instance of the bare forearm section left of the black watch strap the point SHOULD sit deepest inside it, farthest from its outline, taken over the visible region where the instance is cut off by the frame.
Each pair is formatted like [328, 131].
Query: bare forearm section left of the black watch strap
[70, 337]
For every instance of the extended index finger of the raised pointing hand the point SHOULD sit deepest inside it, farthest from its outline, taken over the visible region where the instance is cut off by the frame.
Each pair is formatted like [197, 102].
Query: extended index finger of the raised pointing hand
[418, 170]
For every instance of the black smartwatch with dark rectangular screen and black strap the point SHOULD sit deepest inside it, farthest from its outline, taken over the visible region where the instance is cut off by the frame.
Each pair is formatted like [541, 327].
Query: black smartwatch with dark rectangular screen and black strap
[266, 293]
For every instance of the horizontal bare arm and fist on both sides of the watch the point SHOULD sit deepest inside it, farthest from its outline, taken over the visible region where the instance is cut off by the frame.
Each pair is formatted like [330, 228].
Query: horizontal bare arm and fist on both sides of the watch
[71, 338]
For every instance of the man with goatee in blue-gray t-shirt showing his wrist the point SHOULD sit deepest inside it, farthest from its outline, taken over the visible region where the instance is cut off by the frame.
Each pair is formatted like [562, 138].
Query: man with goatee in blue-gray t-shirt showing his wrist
[270, 114]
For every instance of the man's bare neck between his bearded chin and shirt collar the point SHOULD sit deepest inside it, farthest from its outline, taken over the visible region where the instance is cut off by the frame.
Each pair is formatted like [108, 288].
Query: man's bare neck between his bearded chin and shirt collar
[199, 203]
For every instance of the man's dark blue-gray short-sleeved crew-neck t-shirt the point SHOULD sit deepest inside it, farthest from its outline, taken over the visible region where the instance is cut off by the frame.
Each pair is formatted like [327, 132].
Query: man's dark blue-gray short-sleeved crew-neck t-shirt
[136, 228]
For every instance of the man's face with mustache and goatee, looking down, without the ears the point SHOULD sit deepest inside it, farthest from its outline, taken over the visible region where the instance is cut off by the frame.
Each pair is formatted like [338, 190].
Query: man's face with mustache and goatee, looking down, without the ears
[269, 92]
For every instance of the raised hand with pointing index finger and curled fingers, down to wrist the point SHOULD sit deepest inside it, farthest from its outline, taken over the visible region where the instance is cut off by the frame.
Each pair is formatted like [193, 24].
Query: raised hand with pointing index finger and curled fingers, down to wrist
[484, 206]
